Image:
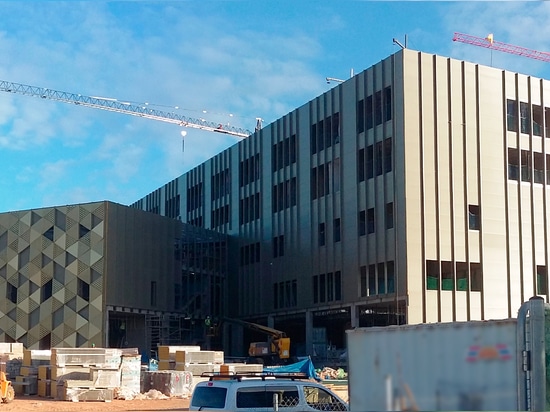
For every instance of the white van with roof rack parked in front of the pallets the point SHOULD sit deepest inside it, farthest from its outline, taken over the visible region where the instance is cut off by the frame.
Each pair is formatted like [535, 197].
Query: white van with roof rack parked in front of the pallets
[263, 393]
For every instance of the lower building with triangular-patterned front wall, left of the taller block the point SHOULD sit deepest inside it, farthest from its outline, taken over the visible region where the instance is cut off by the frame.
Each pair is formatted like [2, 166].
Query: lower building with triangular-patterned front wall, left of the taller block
[106, 274]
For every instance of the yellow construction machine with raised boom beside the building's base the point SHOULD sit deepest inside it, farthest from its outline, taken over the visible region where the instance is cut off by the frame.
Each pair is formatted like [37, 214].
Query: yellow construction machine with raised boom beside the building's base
[275, 350]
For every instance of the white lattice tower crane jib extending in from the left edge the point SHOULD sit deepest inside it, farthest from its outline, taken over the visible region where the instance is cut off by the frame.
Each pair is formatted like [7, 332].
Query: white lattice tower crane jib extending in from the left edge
[114, 105]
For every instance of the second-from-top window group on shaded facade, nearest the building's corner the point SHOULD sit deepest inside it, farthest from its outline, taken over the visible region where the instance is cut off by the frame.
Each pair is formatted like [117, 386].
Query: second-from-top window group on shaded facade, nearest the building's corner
[374, 160]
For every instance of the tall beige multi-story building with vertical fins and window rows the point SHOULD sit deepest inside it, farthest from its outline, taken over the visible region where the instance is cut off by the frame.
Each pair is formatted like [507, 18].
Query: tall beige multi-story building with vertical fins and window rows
[416, 191]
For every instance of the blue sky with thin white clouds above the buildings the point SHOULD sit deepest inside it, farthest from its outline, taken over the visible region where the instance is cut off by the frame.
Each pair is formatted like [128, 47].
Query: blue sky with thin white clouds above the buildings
[236, 60]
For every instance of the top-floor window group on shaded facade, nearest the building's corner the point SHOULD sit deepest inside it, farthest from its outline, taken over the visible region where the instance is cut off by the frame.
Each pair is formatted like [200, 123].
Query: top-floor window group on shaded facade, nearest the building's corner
[374, 110]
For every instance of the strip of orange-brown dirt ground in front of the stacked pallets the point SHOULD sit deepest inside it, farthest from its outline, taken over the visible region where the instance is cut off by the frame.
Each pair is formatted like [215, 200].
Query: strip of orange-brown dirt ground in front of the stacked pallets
[37, 403]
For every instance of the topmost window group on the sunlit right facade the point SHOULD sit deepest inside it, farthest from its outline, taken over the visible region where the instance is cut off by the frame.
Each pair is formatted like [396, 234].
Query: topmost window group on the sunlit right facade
[532, 118]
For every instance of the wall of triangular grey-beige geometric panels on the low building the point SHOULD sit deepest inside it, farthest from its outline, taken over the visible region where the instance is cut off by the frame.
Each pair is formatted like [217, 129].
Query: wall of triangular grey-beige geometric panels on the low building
[52, 275]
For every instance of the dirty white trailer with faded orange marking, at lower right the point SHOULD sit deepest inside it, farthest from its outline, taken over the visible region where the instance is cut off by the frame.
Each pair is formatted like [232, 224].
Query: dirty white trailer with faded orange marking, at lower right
[475, 365]
